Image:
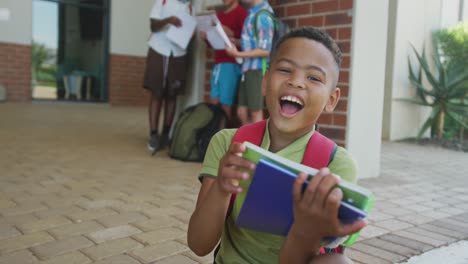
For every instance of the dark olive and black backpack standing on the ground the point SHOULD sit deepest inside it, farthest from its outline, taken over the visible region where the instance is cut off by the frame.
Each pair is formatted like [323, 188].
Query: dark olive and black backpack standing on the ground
[194, 129]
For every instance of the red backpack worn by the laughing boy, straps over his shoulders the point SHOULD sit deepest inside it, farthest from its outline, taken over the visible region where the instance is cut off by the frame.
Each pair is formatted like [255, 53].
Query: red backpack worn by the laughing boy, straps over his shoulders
[253, 133]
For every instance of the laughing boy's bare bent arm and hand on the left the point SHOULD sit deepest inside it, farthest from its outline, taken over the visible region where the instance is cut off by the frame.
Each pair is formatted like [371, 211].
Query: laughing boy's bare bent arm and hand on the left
[207, 221]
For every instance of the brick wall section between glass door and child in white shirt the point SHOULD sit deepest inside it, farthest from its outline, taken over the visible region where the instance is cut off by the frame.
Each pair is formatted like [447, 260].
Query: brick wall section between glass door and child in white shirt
[126, 80]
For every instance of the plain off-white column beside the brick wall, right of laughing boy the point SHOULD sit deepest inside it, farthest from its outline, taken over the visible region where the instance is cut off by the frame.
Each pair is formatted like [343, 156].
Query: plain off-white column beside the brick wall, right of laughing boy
[367, 72]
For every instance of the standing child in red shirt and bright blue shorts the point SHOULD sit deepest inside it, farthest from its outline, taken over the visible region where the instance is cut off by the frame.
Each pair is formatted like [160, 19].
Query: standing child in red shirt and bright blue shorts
[226, 72]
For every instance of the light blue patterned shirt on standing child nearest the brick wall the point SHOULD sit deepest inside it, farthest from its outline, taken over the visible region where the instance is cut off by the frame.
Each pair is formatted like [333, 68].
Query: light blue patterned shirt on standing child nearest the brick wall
[265, 30]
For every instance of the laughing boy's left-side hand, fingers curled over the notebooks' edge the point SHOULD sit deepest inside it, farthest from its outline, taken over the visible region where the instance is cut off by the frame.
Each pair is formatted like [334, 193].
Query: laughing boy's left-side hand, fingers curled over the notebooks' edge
[229, 173]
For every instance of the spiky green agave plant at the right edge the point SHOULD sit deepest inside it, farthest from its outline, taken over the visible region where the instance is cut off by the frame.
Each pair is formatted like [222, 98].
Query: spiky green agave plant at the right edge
[446, 94]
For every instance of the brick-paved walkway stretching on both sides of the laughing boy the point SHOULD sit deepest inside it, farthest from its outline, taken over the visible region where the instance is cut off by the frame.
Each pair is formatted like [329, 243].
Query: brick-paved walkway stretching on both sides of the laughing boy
[77, 186]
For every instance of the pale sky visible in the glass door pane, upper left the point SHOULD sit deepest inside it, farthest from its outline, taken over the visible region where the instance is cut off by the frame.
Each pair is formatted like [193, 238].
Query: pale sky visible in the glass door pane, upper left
[45, 26]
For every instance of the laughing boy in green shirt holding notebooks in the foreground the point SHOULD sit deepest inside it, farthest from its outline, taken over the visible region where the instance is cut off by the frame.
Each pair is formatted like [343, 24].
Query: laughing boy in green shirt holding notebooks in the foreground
[298, 87]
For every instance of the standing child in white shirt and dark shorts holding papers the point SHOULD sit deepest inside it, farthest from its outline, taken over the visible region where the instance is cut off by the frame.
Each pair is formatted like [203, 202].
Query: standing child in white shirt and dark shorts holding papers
[166, 66]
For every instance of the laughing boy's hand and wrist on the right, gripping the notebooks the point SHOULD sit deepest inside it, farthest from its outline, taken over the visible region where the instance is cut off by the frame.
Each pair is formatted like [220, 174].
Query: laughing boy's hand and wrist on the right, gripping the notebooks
[316, 210]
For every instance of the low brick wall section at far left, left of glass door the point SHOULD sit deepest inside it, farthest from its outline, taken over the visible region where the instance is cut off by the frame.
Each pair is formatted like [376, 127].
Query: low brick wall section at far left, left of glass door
[15, 71]
